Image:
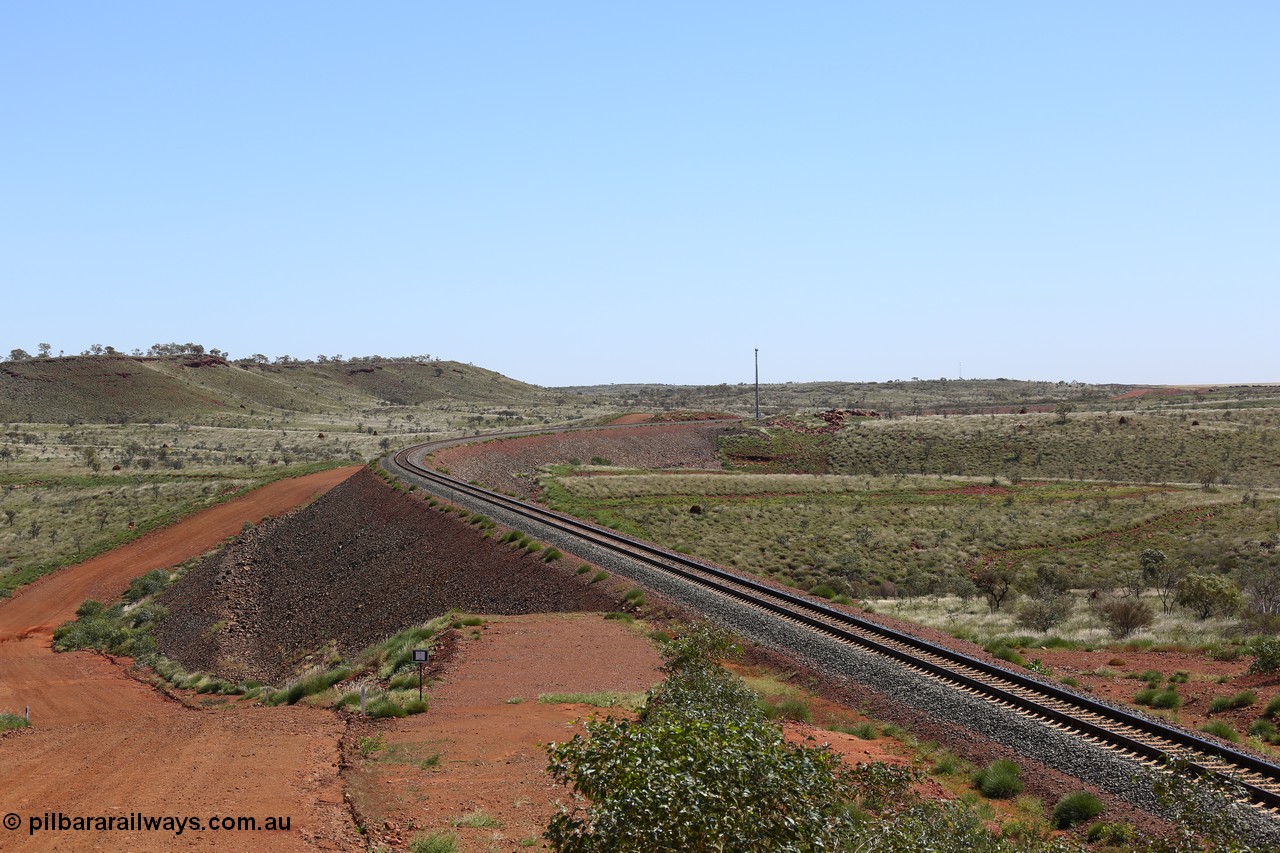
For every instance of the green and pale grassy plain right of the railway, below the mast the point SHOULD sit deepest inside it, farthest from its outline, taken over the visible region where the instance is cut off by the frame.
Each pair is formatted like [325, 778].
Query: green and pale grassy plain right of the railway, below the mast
[917, 535]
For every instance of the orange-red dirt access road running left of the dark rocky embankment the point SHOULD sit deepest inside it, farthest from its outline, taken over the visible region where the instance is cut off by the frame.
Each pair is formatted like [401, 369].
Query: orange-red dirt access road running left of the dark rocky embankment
[103, 746]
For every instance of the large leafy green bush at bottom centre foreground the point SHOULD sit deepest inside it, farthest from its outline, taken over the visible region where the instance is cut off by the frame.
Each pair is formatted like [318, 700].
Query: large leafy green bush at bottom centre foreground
[701, 770]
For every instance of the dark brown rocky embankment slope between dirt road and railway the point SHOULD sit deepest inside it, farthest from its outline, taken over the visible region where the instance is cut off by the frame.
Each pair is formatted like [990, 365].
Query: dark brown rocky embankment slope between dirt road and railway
[358, 565]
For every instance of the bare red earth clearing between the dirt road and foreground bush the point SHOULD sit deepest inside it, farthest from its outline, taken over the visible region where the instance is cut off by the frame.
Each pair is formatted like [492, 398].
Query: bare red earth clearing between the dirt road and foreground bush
[477, 751]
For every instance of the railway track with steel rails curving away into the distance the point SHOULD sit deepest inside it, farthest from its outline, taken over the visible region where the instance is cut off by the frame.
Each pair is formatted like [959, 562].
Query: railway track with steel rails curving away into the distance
[1131, 735]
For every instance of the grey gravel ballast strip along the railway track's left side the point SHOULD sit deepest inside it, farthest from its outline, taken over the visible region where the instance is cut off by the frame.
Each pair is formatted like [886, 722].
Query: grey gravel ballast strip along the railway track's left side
[1104, 769]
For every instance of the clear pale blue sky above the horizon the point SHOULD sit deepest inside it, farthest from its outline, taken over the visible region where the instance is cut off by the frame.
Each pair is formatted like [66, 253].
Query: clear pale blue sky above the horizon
[600, 193]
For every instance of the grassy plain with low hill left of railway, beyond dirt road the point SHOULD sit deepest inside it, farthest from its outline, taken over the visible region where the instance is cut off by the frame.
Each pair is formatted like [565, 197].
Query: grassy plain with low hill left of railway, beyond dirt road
[95, 451]
